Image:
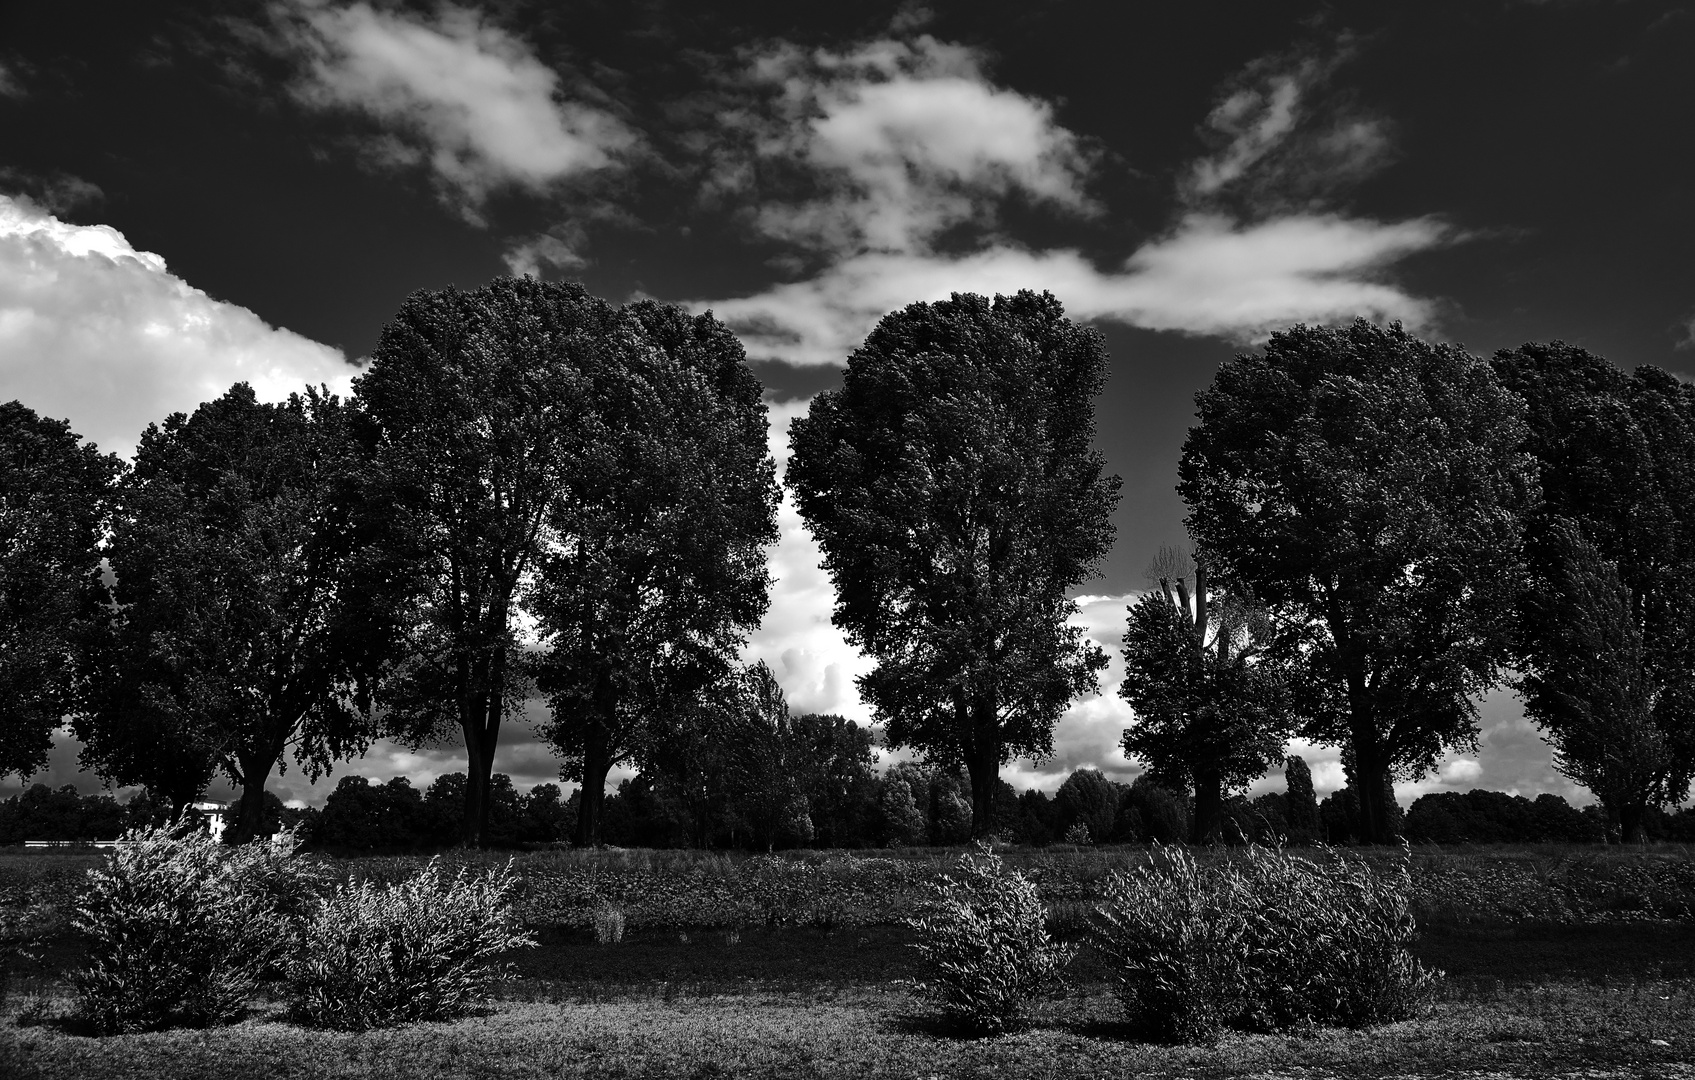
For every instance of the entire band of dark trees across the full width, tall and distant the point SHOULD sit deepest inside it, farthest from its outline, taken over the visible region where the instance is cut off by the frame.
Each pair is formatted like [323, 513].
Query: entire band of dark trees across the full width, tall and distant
[536, 496]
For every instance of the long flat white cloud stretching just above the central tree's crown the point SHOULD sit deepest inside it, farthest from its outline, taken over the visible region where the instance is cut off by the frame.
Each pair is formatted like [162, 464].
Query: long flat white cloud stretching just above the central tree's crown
[1211, 276]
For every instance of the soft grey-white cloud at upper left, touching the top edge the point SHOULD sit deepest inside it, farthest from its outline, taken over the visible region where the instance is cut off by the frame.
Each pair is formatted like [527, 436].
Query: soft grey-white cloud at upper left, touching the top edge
[453, 94]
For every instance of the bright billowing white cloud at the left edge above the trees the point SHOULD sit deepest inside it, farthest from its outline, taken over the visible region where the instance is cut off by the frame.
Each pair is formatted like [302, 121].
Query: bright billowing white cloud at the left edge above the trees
[108, 338]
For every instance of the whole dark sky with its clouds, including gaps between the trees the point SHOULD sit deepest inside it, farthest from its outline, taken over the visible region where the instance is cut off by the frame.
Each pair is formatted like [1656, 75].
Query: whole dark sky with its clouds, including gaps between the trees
[197, 194]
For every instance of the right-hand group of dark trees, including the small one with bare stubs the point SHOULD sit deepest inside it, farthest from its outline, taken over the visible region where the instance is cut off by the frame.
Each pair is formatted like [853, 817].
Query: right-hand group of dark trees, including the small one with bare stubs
[1384, 530]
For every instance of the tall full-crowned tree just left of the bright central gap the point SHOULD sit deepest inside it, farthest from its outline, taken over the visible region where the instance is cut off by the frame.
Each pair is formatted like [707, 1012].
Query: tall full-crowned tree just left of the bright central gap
[655, 569]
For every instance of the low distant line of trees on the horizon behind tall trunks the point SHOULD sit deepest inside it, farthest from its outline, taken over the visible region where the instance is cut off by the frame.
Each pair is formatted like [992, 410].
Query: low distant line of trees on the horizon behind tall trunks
[908, 806]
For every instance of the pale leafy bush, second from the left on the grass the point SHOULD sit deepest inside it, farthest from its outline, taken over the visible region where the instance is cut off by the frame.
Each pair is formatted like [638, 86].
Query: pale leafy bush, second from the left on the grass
[416, 950]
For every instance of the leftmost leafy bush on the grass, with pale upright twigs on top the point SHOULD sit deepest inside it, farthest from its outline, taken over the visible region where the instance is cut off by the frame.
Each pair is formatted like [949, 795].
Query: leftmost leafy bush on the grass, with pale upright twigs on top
[181, 928]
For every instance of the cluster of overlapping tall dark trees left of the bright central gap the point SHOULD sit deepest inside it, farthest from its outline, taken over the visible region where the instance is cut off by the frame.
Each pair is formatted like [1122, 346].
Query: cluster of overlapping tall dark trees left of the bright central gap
[277, 584]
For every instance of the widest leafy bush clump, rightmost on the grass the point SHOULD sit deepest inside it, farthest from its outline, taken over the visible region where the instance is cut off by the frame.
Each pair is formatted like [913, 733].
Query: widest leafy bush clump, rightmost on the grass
[1270, 942]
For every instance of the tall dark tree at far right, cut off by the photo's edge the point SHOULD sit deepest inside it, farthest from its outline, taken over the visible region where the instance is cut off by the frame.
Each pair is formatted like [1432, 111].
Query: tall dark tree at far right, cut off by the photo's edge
[1608, 618]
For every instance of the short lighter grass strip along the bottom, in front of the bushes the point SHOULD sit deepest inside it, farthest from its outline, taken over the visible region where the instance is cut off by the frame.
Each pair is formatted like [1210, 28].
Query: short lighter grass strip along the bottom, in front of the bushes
[1647, 1030]
